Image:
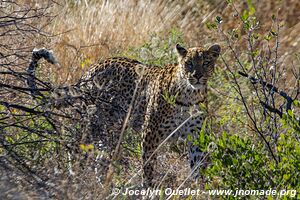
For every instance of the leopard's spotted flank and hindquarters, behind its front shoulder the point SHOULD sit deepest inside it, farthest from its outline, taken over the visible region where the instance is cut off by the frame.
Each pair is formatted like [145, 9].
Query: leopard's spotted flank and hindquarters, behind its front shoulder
[118, 84]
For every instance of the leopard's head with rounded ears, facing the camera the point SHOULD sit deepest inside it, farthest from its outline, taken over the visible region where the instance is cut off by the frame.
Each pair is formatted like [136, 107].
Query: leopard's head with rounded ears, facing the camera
[197, 64]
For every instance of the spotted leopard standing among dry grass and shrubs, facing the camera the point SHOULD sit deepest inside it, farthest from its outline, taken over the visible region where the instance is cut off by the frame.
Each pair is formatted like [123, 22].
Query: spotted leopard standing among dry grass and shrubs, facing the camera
[119, 87]
